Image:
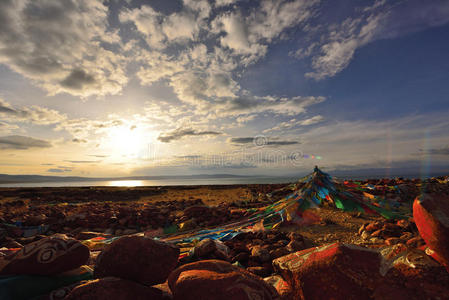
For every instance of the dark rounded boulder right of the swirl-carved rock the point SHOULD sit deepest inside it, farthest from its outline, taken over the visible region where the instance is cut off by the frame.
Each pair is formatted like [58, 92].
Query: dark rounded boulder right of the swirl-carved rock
[137, 258]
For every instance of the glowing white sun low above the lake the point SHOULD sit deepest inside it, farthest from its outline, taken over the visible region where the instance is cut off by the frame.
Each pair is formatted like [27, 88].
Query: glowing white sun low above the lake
[126, 141]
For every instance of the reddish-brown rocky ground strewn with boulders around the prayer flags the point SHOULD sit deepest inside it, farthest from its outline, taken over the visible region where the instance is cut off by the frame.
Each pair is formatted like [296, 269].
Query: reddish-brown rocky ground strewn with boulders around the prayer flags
[342, 255]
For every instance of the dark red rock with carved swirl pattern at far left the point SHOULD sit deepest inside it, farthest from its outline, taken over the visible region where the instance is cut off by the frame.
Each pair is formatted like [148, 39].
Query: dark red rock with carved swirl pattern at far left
[48, 256]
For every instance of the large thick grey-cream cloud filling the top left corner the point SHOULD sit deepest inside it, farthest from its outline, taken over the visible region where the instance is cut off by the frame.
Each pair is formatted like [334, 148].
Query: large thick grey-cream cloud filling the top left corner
[62, 46]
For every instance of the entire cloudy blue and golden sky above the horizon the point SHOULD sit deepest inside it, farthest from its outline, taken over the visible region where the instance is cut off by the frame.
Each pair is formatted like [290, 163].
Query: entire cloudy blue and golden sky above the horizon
[270, 87]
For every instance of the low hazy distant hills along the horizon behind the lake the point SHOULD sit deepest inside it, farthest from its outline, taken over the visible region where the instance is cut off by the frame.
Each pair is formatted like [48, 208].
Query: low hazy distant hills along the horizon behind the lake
[5, 178]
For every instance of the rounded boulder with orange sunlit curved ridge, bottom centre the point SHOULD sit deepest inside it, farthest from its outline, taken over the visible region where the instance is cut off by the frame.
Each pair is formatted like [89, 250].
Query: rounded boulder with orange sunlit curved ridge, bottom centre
[219, 280]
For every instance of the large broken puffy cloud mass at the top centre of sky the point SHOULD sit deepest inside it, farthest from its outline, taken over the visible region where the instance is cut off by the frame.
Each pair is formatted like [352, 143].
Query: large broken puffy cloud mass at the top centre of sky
[203, 67]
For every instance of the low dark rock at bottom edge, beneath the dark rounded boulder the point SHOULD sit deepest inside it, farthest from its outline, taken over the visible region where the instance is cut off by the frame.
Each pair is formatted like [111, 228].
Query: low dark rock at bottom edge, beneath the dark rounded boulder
[110, 288]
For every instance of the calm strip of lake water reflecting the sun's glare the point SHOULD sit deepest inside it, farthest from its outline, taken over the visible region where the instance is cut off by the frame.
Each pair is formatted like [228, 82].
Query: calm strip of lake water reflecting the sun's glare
[131, 183]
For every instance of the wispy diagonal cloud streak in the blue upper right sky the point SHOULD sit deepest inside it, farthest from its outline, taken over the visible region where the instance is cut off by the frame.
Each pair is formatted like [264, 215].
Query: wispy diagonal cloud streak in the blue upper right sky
[335, 44]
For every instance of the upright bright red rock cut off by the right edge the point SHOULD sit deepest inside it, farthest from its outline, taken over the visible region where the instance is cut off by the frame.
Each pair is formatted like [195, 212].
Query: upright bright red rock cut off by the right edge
[431, 215]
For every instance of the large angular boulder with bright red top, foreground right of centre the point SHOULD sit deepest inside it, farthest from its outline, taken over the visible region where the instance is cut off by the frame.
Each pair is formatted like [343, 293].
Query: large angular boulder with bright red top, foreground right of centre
[337, 271]
